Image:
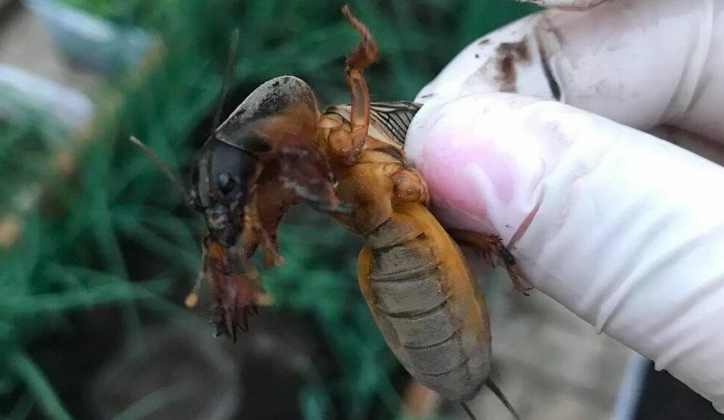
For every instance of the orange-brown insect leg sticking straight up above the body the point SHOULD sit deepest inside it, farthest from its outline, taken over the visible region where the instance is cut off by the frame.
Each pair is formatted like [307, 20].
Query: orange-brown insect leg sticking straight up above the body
[357, 60]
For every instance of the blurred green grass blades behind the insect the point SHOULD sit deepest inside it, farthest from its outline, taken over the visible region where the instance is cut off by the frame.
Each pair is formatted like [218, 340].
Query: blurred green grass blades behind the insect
[73, 253]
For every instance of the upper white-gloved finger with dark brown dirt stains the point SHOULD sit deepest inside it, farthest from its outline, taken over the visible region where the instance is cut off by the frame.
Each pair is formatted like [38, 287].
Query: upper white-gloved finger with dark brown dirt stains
[639, 62]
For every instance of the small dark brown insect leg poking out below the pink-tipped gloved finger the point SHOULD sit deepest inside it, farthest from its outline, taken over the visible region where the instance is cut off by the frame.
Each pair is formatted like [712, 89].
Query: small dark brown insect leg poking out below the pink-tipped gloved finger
[490, 246]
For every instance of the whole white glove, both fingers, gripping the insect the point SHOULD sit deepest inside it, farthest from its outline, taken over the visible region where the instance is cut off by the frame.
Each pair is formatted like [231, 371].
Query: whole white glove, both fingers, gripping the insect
[624, 229]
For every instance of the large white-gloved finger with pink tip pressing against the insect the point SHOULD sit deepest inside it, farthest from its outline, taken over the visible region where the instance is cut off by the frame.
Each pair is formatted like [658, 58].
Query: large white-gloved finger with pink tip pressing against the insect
[625, 230]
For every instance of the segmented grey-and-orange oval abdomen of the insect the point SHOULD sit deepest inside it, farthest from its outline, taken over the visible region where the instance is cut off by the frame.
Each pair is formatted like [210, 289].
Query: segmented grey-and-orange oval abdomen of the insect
[426, 303]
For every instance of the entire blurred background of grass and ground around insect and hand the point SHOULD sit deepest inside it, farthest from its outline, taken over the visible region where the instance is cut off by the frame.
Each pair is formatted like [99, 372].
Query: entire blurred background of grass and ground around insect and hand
[97, 250]
